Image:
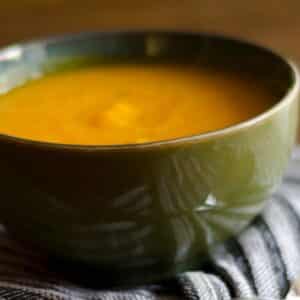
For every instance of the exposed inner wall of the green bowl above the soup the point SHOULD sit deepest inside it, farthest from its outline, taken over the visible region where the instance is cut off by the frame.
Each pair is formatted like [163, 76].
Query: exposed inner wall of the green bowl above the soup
[24, 62]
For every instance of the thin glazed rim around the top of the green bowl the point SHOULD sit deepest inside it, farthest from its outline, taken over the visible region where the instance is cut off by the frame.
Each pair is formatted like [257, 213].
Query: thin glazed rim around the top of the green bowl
[289, 96]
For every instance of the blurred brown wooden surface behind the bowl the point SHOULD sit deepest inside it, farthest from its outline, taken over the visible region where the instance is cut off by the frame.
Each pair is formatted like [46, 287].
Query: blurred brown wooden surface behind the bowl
[274, 23]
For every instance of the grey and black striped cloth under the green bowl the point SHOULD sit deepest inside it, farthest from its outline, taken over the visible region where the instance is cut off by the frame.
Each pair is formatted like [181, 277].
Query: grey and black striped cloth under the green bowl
[263, 260]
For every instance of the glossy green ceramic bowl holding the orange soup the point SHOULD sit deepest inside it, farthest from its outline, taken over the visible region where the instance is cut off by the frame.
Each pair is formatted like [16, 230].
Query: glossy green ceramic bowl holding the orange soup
[139, 213]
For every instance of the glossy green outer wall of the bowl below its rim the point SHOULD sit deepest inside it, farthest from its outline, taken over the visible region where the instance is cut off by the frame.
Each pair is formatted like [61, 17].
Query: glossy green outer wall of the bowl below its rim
[157, 209]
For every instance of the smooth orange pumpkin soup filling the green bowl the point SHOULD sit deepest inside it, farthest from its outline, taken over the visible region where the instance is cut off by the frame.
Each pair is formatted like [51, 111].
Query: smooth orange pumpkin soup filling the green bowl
[121, 104]
